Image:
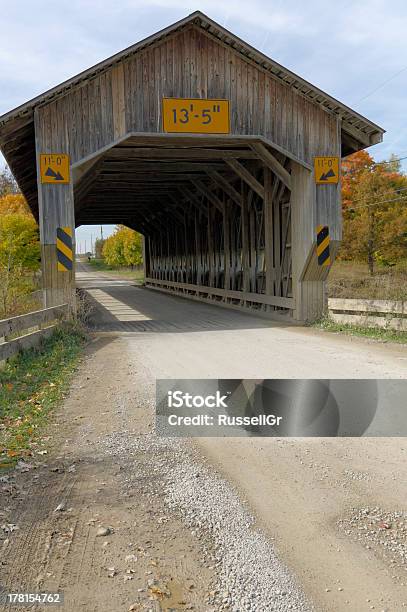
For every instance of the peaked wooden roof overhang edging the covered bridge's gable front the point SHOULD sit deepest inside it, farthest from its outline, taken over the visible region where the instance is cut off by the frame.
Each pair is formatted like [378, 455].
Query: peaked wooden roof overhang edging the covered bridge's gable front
[17, 135]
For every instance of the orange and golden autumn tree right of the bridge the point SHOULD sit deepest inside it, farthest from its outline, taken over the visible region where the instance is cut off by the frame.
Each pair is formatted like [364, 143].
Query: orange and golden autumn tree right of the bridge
[374, 201]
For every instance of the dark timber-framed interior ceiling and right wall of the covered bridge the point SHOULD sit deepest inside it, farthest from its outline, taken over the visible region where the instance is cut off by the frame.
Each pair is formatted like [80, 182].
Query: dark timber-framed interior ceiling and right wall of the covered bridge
[204, 207]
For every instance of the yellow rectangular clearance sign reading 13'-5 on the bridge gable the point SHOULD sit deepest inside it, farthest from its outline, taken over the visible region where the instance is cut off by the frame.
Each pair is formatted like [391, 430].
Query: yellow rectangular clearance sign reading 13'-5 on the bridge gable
[196, 116]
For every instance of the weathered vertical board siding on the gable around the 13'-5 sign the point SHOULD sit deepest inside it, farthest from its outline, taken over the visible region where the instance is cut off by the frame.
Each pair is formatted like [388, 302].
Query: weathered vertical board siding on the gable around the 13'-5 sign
[187, 64]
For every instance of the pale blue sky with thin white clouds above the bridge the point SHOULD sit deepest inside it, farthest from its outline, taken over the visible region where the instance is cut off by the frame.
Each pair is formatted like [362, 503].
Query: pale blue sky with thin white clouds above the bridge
[354, 50]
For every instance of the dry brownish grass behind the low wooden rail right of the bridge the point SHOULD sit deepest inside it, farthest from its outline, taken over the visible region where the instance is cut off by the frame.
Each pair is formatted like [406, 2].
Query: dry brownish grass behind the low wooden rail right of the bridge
[349, 279]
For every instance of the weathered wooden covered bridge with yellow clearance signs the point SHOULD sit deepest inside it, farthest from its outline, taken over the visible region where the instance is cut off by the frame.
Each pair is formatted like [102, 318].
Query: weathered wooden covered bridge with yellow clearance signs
[225, 161]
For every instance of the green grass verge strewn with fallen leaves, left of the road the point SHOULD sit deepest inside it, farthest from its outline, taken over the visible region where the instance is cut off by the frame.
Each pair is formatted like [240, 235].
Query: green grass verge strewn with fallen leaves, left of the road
[31, 385]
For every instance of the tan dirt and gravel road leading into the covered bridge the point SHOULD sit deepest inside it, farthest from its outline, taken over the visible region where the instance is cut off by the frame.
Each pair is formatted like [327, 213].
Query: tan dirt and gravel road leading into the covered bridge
[182, 536]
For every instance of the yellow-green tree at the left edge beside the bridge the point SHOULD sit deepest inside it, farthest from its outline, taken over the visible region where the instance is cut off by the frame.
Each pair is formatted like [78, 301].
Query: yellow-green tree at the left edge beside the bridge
[19, 254]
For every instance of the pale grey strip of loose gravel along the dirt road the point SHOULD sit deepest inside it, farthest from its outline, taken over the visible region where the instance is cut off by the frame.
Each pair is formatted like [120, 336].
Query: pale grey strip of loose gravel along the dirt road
[250, 576]
